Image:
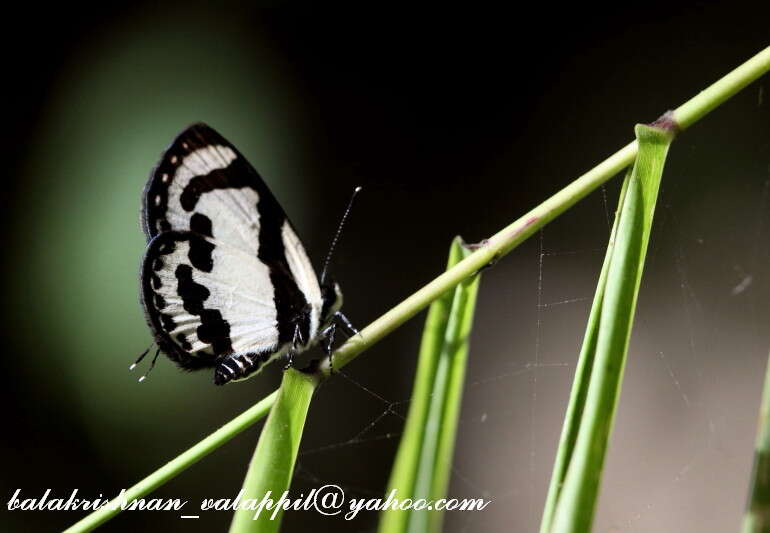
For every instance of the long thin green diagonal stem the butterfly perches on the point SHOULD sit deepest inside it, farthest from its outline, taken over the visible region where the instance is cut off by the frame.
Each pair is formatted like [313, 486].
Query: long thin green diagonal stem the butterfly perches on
[497, 246]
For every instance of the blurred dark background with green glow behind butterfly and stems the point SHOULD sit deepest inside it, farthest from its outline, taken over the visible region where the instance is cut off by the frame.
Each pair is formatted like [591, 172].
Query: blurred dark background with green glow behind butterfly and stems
[455, 122]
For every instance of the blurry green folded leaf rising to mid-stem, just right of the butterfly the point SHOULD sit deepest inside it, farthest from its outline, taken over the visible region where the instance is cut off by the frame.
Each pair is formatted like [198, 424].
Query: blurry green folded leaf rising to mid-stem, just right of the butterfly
[423, 463]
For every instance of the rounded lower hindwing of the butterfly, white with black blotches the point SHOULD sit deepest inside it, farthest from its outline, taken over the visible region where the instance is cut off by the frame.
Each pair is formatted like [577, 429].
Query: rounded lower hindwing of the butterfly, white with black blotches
[205, 298]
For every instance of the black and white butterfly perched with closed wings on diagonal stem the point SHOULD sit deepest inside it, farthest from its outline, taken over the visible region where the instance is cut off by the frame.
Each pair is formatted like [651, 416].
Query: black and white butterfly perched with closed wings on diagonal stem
[226, 283]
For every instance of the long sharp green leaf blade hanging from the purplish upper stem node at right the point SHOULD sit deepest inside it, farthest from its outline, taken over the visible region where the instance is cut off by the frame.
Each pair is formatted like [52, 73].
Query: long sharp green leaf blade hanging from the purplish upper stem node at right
[577, 475]
